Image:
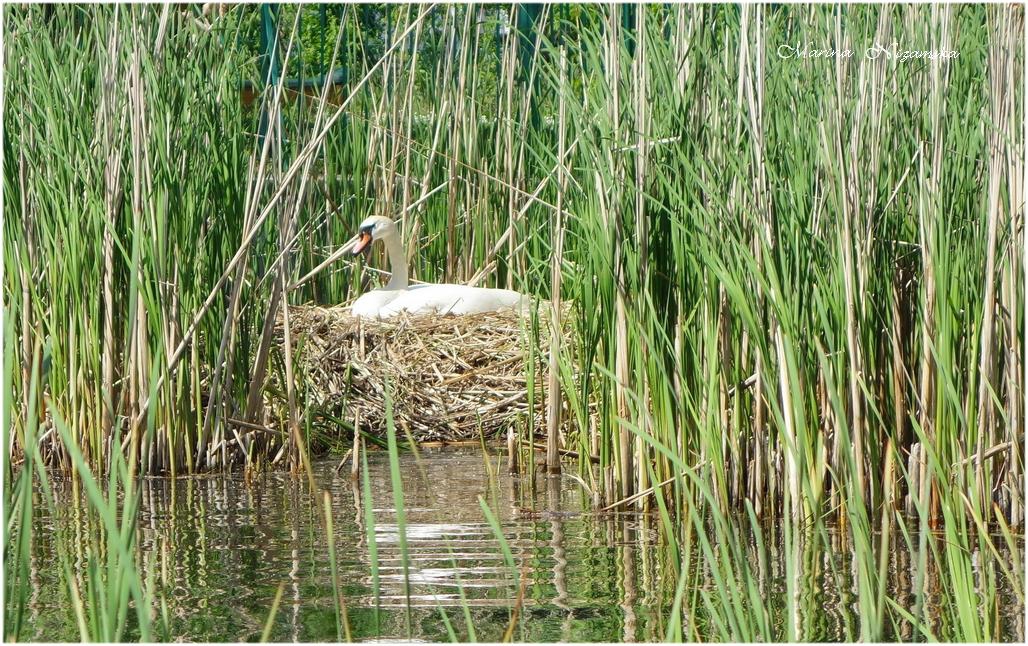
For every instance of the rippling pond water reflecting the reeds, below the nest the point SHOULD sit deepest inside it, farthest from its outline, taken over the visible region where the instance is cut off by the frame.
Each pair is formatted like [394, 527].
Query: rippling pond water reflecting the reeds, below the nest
[218, 549]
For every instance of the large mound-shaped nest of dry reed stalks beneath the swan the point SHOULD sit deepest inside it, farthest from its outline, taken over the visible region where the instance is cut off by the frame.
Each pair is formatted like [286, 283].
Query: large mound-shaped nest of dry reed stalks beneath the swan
[450, 378]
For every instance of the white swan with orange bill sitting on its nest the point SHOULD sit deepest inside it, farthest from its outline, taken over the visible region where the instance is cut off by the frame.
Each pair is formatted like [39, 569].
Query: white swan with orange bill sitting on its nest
[398, 297]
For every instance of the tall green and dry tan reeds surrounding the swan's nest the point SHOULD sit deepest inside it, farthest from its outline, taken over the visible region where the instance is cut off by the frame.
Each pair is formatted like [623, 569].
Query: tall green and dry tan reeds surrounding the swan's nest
[797, 282]
